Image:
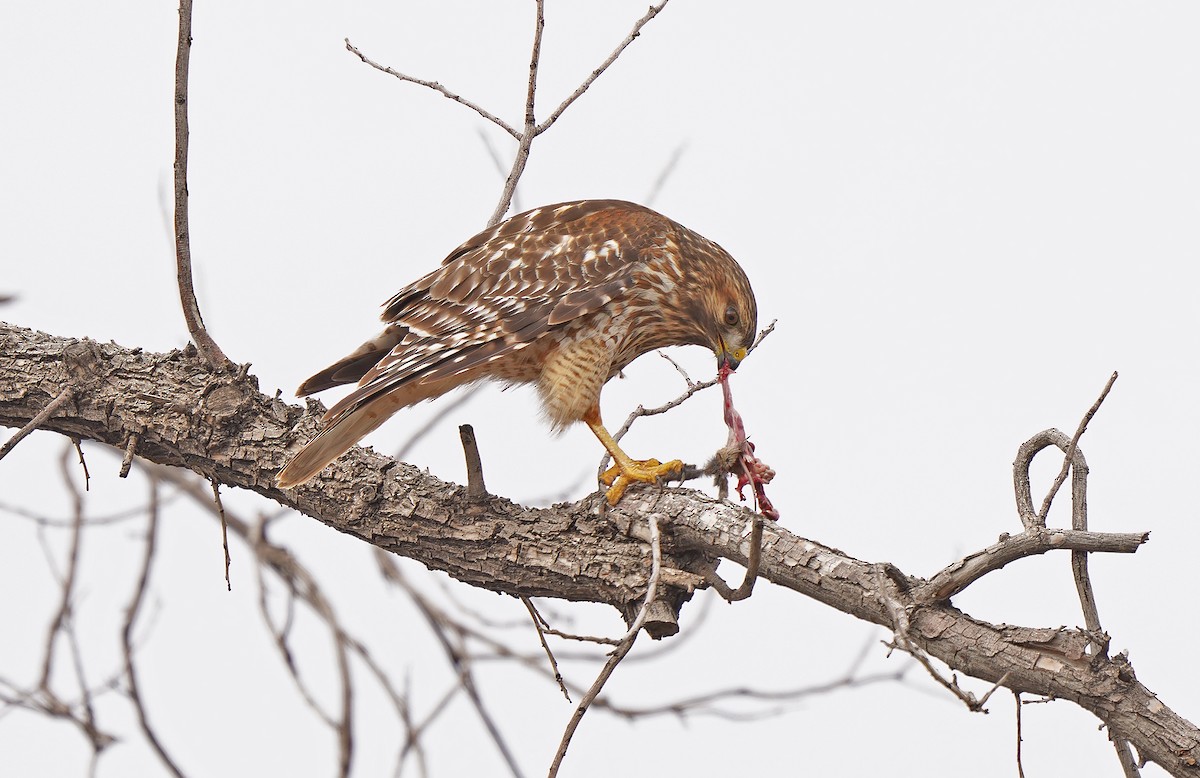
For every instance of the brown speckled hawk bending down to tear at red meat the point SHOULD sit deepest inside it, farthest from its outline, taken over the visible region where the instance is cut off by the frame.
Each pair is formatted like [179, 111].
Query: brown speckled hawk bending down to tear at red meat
[562, 297]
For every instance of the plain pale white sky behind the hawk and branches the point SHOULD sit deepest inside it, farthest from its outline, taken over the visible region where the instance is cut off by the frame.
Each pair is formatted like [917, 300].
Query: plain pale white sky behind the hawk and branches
[964, 217]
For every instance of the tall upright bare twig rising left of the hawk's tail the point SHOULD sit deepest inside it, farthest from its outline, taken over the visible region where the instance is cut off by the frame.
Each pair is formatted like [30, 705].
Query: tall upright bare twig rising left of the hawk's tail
[205, 343]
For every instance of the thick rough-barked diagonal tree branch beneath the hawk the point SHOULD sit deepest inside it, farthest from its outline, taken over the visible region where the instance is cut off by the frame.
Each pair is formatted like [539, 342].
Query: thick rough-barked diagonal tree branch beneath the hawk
[221, 427]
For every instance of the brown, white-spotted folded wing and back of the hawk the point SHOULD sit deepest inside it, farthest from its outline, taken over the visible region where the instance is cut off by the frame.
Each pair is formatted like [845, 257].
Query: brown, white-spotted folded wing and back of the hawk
[506, 288]
